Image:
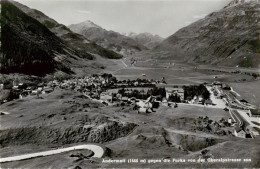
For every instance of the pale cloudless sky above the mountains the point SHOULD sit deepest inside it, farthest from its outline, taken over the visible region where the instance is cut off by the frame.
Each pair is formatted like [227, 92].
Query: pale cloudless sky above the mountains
[161, 17]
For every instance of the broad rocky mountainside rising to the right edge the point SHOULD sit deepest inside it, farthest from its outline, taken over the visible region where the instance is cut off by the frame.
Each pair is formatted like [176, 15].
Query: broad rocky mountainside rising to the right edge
[229, 37]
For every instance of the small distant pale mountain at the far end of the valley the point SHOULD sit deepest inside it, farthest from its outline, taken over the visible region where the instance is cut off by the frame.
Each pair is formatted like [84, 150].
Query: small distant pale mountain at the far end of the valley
[147, 39]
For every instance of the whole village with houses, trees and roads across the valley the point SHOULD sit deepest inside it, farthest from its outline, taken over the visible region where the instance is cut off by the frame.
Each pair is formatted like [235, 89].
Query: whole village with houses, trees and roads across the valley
[147, 95]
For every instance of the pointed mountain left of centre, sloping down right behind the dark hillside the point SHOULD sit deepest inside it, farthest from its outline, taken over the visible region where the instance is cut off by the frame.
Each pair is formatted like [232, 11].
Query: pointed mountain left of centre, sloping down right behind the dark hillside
[108, 39]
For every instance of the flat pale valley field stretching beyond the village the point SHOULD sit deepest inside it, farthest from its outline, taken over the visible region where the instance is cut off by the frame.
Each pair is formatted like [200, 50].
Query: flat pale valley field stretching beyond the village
[175, 73]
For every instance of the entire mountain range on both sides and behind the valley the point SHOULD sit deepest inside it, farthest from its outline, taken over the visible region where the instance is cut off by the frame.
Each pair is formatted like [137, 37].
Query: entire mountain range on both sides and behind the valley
[33, 43]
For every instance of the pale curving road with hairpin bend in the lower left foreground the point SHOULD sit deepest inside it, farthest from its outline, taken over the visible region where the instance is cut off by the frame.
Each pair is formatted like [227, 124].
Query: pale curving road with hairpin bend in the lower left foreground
[98, 152]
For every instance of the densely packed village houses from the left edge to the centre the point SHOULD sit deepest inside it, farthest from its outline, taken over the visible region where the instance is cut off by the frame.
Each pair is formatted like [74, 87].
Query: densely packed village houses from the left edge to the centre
[101, 87]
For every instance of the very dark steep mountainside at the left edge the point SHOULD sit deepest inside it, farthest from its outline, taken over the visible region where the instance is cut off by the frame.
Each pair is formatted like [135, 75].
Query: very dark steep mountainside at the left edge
[29, 47]
